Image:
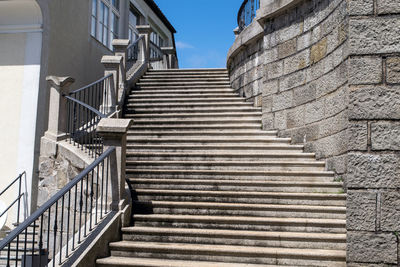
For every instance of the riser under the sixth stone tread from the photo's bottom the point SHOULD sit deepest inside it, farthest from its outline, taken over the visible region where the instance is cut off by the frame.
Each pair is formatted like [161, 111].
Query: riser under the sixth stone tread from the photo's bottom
[239, 199]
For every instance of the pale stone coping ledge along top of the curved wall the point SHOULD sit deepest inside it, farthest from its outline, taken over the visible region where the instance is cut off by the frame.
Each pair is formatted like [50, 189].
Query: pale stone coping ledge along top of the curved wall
[255, 30]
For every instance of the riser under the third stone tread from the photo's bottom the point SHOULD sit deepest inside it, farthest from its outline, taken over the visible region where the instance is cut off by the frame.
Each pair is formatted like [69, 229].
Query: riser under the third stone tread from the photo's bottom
[235, 241]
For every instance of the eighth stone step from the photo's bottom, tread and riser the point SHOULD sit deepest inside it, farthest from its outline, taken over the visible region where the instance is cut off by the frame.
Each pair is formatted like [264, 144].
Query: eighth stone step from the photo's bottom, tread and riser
[309, 176]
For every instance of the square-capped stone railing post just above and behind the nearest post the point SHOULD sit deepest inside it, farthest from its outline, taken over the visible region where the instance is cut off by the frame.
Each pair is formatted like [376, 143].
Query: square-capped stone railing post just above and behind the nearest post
[112, 65]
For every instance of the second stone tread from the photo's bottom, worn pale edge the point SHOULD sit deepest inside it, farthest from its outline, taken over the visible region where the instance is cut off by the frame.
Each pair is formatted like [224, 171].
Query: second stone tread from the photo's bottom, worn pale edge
[242, 250]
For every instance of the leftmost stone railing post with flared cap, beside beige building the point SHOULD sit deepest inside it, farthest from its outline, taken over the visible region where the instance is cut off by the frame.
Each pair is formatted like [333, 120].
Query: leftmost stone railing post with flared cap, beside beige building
[57, 126]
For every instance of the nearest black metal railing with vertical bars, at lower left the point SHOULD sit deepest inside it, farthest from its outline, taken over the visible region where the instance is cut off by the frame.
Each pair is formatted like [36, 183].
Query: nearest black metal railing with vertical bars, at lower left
[60, 225]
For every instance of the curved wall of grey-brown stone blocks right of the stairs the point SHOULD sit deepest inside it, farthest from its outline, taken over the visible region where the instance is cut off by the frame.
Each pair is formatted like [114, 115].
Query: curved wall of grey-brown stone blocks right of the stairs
[299, 66]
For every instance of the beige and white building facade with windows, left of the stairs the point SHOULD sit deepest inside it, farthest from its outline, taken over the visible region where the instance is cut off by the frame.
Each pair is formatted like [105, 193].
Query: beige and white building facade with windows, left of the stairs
[61, 38]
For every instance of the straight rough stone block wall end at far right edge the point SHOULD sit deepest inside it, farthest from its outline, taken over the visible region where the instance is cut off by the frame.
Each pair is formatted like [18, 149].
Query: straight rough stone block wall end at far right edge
[373, 179]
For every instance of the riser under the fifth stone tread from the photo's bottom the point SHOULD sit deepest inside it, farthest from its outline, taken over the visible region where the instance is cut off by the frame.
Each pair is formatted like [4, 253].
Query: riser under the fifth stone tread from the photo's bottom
[248, 212]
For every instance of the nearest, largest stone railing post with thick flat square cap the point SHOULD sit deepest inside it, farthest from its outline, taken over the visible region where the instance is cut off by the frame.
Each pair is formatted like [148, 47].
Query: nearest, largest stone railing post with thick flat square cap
[114, 133]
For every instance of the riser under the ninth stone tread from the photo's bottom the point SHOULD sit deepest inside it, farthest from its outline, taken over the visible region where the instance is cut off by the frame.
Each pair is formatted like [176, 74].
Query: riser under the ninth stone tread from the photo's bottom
[226, 167]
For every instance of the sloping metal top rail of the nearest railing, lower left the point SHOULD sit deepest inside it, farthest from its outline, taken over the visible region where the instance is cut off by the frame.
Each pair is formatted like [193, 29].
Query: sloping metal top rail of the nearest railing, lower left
[39, 212]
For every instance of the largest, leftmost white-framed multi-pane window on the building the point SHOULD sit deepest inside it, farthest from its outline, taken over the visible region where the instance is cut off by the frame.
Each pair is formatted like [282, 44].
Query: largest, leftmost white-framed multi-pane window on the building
[105, 20]
